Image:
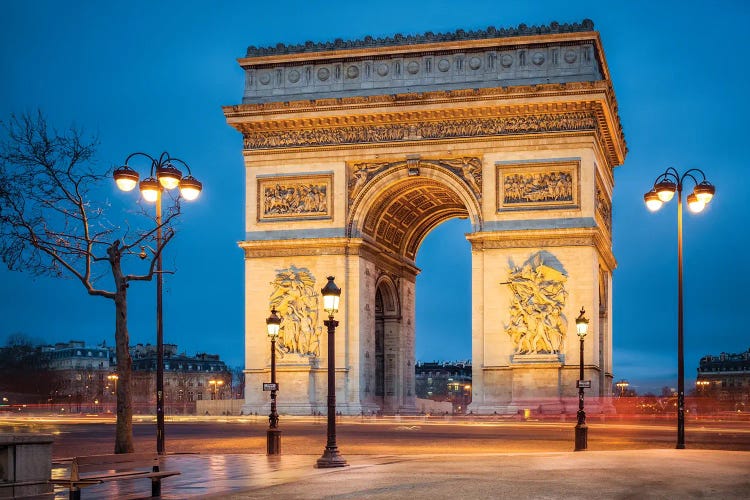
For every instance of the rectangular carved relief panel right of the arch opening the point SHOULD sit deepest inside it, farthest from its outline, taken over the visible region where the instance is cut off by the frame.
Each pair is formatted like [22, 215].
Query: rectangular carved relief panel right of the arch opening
[538, 185]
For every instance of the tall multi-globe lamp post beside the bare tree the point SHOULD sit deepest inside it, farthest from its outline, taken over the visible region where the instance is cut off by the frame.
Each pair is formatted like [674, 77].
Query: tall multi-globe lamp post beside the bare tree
[163, 175]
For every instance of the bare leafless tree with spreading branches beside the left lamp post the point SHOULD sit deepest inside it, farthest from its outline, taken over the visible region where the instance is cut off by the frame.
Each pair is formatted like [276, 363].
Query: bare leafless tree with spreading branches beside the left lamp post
[51, 223]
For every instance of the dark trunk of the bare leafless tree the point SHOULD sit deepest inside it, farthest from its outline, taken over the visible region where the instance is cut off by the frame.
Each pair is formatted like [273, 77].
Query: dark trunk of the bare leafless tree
[124, 428]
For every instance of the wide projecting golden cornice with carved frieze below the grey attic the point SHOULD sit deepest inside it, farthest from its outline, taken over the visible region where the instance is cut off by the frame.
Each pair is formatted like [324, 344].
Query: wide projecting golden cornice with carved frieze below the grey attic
[590, 114]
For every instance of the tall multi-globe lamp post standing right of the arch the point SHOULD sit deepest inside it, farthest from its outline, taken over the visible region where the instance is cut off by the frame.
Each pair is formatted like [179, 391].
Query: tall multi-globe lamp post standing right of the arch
[665, 187]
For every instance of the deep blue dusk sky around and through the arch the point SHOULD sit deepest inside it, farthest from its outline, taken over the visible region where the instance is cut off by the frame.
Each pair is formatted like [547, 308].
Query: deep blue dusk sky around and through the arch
[152, 76]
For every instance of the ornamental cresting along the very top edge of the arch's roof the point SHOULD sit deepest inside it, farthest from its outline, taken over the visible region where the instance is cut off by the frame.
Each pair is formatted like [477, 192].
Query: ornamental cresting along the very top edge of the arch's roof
[429, 37]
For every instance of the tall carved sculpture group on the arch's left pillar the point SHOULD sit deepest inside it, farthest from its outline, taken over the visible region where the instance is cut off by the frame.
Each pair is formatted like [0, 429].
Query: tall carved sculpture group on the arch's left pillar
[296, 300]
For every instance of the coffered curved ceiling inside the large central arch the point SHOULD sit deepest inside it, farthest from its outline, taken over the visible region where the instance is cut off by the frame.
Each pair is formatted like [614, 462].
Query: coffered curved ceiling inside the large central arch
[406, 211]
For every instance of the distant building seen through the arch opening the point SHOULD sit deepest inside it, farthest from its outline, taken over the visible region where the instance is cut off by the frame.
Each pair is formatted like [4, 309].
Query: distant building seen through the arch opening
[449, 381]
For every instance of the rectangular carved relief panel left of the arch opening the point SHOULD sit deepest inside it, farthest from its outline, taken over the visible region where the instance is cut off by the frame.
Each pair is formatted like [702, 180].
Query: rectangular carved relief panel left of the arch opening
[295, 197]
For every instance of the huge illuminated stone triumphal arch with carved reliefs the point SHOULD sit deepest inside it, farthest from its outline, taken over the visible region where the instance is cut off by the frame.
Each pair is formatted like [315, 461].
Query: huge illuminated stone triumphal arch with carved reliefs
[355, 150]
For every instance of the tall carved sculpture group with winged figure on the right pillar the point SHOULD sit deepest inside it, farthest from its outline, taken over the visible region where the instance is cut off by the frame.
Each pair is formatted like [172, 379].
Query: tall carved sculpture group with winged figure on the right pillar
[537, 323]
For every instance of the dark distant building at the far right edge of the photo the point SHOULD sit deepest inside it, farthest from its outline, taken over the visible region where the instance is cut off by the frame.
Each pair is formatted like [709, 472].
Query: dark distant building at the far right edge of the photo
[726, 377]
